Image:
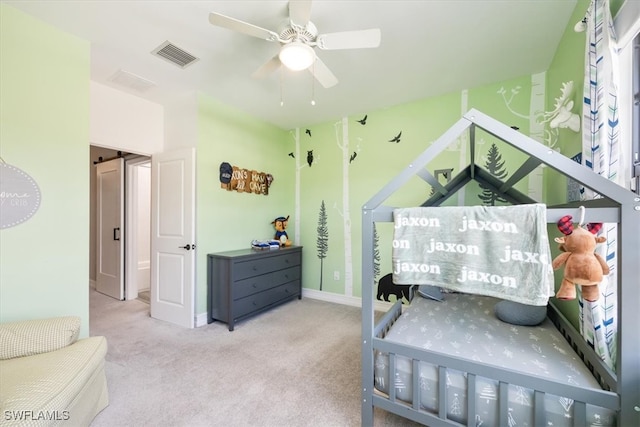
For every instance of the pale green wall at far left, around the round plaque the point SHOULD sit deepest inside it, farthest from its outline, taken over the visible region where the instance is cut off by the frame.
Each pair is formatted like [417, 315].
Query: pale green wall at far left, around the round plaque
[44, 130]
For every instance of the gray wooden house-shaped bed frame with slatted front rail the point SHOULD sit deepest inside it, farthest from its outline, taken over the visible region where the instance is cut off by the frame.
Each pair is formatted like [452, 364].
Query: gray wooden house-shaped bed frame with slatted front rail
[620, 390]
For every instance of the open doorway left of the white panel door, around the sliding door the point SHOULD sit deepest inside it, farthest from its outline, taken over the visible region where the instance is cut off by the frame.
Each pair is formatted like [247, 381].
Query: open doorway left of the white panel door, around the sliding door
[135, 276]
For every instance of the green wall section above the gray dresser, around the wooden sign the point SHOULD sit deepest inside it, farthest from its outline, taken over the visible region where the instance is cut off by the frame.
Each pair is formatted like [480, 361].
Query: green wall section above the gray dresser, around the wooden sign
[228, 220]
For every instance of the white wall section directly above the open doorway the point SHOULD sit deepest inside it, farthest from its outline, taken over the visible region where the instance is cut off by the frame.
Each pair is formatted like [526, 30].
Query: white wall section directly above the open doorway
[125, 122]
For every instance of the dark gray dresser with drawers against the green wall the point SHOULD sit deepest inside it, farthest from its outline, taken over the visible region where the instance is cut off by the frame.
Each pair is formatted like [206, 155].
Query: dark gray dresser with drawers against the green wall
[245, 282]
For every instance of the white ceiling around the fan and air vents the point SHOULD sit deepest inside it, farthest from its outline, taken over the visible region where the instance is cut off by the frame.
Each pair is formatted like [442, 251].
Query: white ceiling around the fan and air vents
[428, 48]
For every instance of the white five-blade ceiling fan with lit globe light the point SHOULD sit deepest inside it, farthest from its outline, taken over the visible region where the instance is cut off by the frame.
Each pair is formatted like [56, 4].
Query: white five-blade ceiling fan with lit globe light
[298, 37]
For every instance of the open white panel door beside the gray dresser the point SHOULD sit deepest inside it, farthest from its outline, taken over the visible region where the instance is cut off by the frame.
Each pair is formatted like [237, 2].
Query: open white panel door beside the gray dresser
[173, 236]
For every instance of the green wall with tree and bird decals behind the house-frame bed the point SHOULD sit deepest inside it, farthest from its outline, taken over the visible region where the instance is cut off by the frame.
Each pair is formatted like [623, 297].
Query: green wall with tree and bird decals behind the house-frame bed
[377, 161]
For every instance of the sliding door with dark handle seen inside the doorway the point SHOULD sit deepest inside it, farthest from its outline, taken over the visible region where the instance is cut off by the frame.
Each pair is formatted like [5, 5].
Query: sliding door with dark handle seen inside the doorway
[109, 225]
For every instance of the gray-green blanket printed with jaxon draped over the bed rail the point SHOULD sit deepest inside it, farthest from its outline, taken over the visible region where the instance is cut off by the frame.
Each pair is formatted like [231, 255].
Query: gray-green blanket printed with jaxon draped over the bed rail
[499, 251]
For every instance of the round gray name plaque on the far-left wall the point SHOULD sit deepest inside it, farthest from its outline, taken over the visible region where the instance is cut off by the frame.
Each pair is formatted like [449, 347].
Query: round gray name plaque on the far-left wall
[19, 196]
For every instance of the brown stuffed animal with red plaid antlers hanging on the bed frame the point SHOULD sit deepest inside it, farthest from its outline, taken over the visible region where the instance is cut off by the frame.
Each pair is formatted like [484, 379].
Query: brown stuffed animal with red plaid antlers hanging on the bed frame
[582, 266]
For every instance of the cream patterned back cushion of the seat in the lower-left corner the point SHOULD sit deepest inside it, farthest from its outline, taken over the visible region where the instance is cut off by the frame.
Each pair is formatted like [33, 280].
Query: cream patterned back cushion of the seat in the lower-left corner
[29, 337]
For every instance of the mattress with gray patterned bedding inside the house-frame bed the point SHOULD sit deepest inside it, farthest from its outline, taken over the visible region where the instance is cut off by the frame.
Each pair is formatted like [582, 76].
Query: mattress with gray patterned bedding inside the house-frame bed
[465, 326]
